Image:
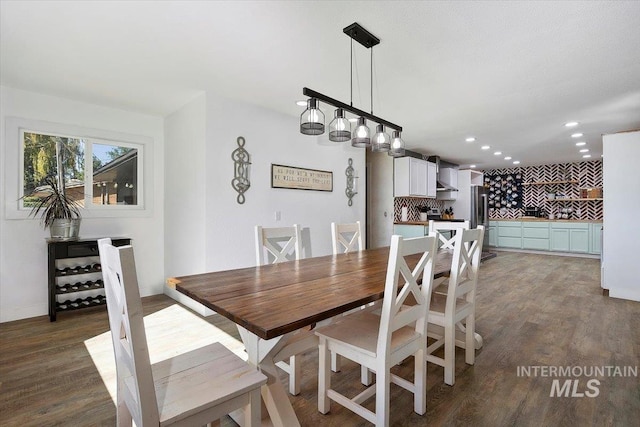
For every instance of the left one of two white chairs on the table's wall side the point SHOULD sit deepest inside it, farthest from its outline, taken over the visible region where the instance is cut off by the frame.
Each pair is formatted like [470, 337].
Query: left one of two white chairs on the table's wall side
[275, 245]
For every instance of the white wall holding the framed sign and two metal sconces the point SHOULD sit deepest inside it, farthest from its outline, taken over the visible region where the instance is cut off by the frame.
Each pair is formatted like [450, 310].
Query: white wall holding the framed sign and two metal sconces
[270, 137]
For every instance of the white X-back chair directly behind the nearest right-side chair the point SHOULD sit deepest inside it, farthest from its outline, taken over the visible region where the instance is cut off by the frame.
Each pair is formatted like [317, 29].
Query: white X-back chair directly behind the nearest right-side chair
[457, 307]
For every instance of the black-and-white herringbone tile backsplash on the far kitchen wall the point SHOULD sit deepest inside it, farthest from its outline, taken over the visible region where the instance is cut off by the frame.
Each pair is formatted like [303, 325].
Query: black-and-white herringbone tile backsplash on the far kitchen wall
[587, 175]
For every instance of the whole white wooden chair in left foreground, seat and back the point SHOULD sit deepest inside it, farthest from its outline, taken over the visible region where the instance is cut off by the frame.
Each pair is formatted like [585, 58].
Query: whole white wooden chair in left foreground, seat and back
[193, 388]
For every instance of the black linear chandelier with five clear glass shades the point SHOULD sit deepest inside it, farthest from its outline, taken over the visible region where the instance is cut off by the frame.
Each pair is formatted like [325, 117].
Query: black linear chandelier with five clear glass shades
[312, 119]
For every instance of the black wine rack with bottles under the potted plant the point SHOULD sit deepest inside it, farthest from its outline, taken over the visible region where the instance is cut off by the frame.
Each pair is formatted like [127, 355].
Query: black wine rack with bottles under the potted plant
[75, 275]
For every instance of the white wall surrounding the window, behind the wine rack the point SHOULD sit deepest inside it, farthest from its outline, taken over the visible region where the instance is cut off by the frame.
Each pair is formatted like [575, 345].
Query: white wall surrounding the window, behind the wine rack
[23, 259]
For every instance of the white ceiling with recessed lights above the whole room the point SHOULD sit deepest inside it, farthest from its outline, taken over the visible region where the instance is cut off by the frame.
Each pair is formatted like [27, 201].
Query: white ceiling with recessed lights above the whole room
[509, 74]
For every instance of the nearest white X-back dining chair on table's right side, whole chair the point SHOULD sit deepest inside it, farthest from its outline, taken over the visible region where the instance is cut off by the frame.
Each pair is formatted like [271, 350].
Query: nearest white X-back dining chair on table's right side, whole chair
[379, 342]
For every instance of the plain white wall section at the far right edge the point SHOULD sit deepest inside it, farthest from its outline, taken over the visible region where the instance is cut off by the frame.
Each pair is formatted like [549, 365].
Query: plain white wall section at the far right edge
[621, 191]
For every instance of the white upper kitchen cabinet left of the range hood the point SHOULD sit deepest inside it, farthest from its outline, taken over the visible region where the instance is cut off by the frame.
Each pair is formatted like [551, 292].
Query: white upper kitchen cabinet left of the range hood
[414, 178]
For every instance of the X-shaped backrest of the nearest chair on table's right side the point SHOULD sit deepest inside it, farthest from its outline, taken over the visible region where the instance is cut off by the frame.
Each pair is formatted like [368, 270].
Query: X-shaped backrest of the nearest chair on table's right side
[418, 282]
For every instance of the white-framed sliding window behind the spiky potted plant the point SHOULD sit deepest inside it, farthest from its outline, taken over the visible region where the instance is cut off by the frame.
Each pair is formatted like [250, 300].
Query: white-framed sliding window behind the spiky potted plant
[107, 172]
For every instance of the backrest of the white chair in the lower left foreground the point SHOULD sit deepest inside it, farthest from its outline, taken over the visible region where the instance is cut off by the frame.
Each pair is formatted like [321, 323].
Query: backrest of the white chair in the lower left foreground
[124, 306]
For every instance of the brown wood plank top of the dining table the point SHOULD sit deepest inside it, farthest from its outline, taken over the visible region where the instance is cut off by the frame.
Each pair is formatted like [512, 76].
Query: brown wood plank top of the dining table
[276, 299]
